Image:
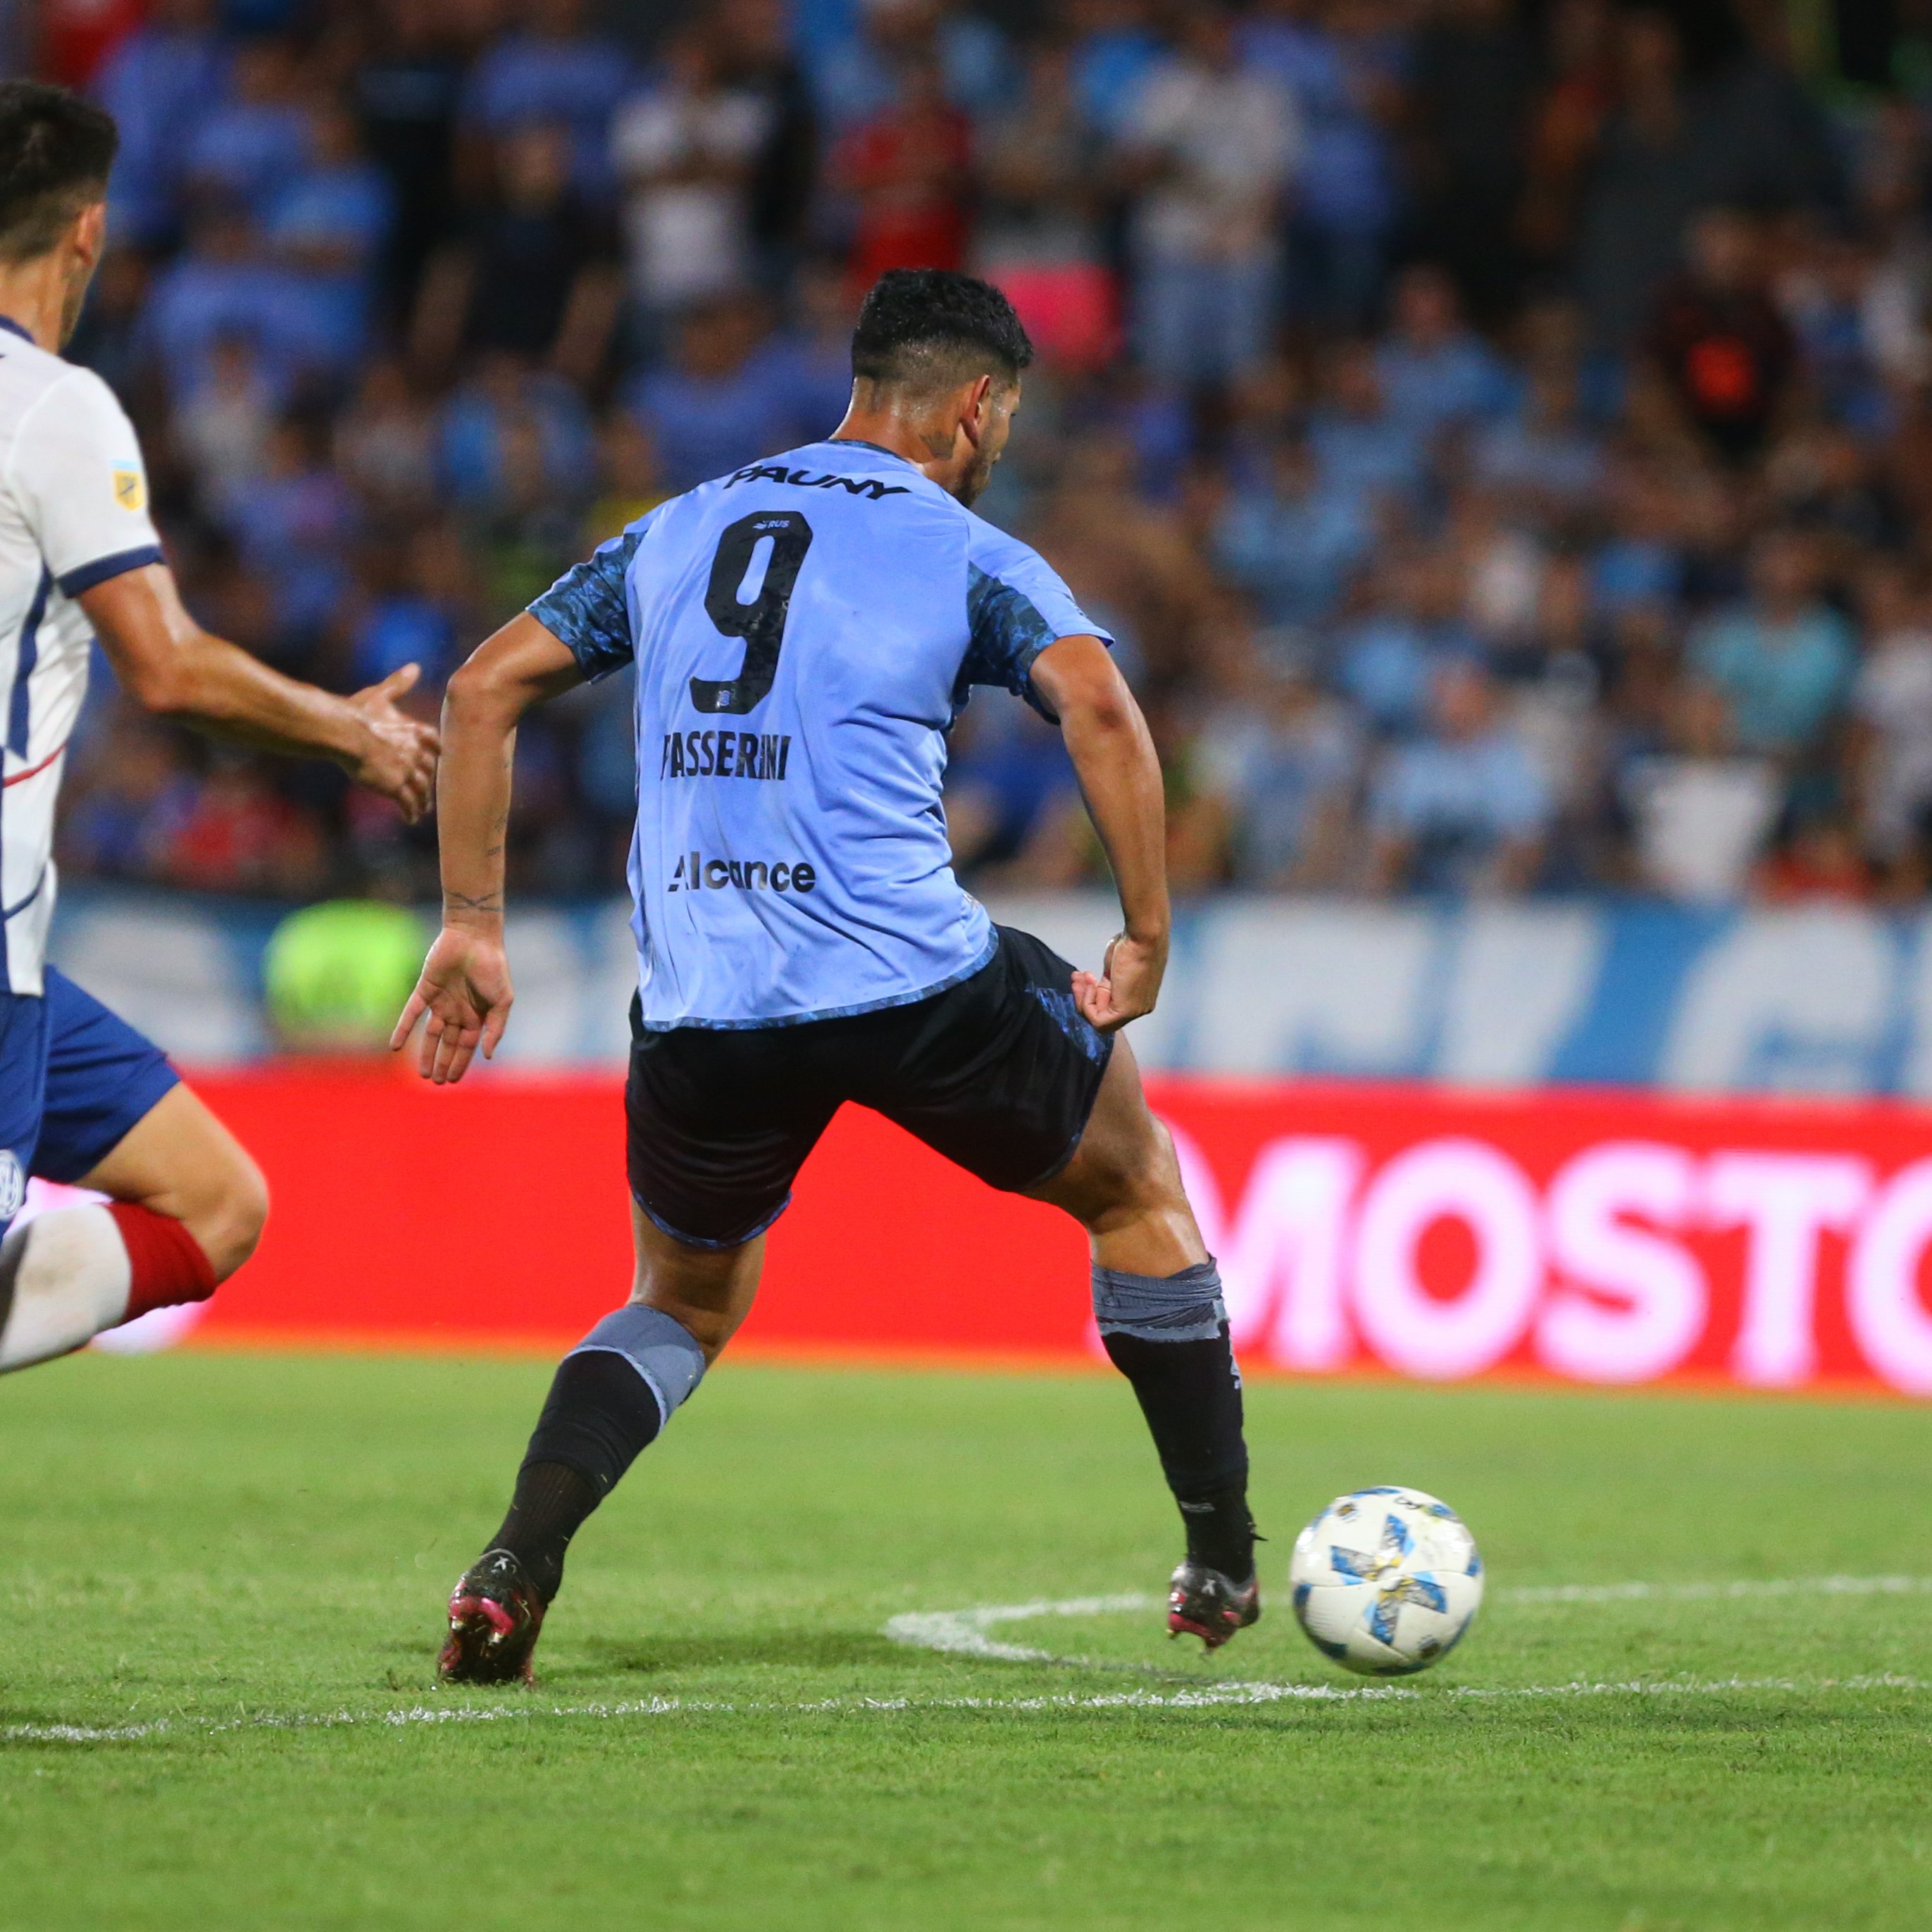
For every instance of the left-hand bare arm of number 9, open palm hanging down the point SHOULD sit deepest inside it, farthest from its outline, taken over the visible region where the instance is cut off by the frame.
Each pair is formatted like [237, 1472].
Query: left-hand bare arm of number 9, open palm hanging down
[467, 979]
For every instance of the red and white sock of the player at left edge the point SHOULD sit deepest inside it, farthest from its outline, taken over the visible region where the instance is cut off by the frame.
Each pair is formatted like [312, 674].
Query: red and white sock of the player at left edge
[74, 1272]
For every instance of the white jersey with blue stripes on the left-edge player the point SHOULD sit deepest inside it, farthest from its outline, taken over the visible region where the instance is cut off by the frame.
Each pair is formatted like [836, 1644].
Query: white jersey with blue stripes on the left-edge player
[72, 515]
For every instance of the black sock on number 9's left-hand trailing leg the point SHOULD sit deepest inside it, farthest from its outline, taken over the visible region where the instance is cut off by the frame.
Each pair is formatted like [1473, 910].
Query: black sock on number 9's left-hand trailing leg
[596, 1423]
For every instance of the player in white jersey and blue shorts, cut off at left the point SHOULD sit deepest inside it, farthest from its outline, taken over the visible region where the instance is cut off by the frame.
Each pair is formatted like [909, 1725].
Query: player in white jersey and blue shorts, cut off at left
[84, 1098]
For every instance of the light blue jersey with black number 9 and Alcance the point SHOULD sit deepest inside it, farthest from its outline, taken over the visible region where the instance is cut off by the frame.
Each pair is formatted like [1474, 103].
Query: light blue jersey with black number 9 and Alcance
[805, 633]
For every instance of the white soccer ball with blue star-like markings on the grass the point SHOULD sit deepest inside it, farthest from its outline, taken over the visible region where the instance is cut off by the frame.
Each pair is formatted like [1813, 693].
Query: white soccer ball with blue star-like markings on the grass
[1386, 1581]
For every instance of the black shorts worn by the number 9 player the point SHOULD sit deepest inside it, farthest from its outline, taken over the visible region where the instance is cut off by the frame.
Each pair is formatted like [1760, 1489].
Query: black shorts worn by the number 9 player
[996, 1073]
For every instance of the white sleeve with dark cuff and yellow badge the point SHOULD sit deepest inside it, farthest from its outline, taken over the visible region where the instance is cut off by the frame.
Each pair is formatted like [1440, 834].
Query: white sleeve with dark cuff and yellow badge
[82, 486]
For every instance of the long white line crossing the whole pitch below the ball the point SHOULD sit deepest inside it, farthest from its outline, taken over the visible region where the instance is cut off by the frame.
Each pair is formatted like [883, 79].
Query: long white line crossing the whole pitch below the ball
[671, 1707]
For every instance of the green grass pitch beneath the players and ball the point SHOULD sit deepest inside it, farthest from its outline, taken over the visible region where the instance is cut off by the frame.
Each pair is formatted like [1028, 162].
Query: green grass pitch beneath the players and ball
[223, 1576]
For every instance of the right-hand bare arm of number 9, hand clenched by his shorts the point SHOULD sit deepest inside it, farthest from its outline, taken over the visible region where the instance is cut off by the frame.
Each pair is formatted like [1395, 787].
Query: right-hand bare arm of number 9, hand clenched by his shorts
[1122, 781]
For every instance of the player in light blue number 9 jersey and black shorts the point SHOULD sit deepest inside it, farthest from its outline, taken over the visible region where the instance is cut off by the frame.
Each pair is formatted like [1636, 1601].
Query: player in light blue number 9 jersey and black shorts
[807, 631]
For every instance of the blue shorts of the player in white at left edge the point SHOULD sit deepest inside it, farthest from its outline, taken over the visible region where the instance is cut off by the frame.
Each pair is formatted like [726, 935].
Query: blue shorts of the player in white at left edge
[74, 1081]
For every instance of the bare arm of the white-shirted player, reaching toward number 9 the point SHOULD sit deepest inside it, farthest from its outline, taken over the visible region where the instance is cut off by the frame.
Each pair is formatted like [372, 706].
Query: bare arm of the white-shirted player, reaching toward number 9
[177, 669]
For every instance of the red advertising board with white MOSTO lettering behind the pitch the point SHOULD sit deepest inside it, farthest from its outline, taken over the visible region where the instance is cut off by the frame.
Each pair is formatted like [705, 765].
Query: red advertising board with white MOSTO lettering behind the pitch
[1591, 1237]
